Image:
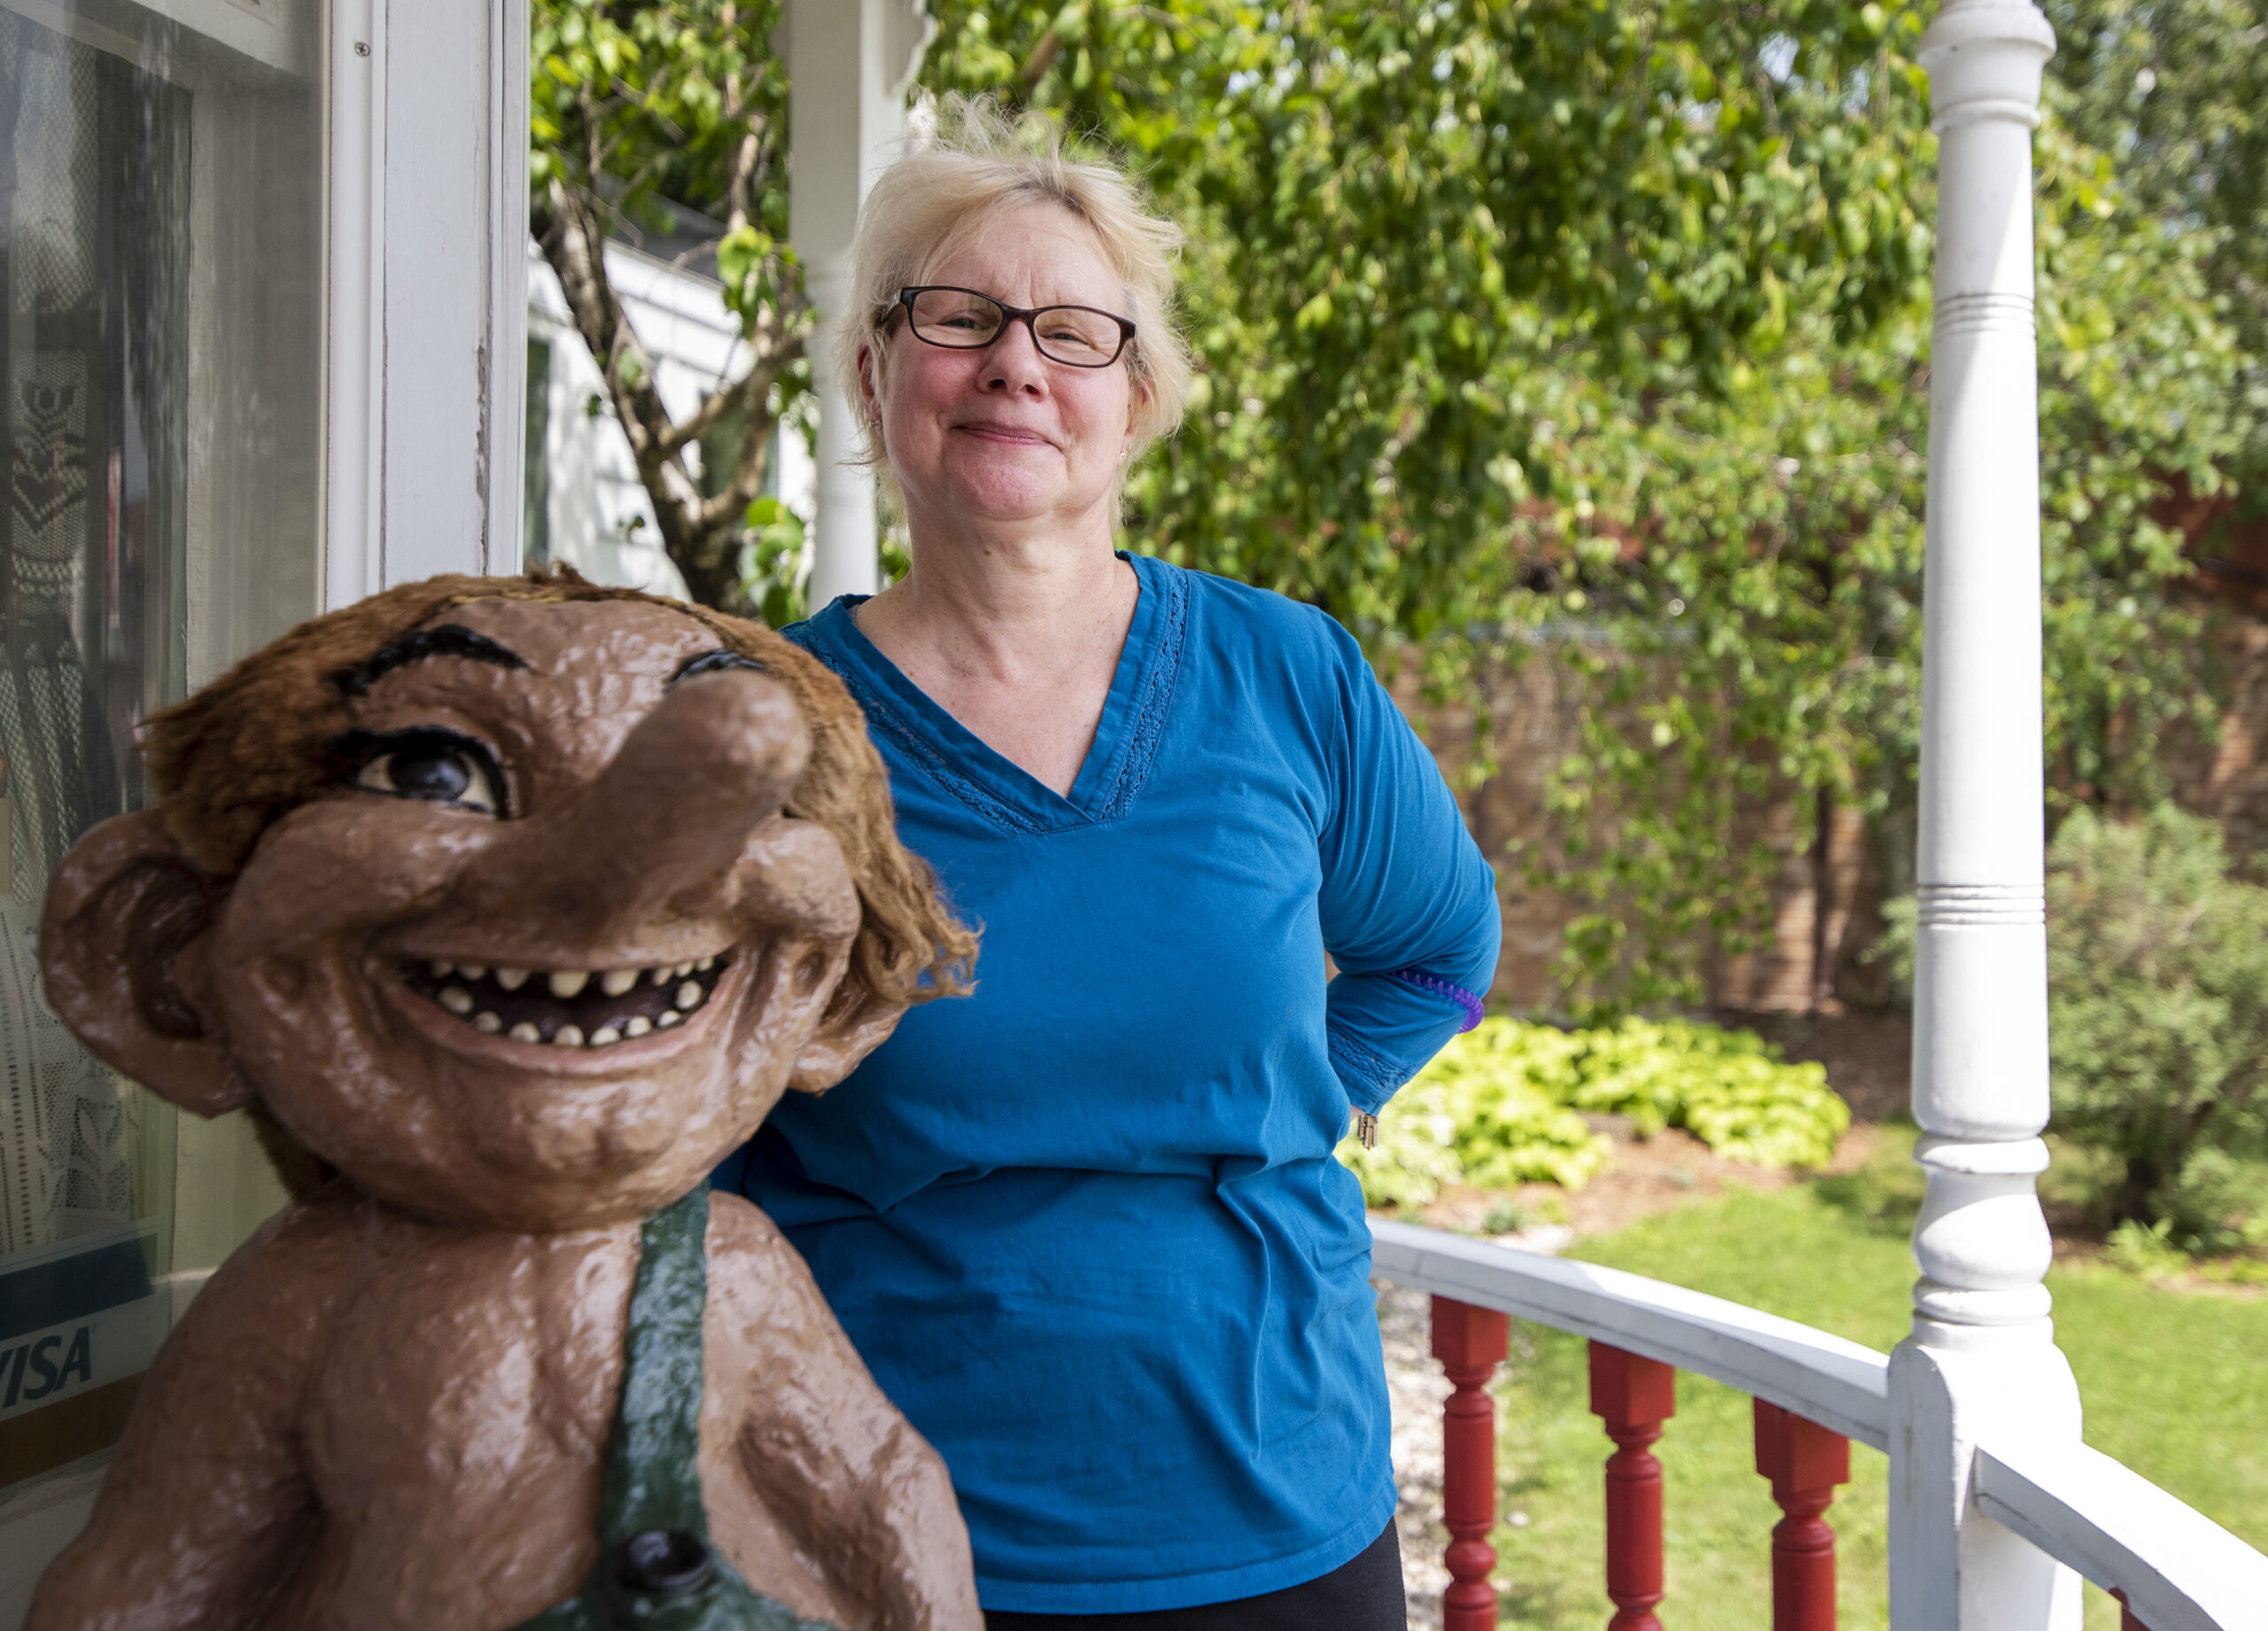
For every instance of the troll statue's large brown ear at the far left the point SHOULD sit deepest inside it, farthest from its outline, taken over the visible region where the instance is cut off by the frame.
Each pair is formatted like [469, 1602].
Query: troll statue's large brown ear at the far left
[121, 913]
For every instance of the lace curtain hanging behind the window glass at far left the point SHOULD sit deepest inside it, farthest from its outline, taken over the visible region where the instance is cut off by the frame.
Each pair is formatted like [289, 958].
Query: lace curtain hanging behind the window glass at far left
[92, 246]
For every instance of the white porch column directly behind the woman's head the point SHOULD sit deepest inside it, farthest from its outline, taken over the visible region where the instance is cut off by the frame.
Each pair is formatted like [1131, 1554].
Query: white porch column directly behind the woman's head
[849, 65]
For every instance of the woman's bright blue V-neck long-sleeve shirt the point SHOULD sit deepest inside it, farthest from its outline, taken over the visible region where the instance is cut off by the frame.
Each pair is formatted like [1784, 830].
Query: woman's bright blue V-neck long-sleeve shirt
[1085, 1226]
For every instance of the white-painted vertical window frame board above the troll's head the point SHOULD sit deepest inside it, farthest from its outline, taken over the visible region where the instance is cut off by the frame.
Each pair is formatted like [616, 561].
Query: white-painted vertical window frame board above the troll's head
[428, 291]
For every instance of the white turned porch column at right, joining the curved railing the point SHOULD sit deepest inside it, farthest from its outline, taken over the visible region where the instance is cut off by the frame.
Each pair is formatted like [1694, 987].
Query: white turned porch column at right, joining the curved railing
[1981, 1358]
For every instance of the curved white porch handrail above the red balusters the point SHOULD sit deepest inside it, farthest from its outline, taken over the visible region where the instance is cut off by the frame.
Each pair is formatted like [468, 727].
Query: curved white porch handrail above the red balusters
[2174, 1569]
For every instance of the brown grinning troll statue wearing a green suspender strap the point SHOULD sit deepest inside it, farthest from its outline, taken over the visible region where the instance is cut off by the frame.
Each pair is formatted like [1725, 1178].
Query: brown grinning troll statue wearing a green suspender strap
[509, 906]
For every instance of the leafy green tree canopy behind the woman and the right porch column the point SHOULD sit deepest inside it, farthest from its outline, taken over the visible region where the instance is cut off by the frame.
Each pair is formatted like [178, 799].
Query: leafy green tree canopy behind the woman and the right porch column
[1602, 332]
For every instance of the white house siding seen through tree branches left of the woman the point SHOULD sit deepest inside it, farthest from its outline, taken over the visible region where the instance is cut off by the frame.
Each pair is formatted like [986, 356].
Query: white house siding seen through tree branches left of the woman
[593, 512]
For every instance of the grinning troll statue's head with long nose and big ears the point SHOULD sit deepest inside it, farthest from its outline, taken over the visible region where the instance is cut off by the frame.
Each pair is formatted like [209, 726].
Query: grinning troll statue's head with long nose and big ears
[516, 902]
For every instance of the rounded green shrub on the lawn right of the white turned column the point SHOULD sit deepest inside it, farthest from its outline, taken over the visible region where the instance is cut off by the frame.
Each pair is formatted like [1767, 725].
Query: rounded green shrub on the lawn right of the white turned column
[2158, 979]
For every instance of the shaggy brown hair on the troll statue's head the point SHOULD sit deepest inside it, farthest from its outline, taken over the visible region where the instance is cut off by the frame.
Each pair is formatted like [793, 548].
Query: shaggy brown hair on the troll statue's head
[255, 745]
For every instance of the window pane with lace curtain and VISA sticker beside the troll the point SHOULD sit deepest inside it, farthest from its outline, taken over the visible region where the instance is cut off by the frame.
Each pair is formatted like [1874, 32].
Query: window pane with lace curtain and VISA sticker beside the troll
[160, 355]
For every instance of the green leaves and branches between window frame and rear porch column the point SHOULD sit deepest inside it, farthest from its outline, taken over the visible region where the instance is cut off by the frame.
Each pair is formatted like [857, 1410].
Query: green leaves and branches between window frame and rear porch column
[645, 105]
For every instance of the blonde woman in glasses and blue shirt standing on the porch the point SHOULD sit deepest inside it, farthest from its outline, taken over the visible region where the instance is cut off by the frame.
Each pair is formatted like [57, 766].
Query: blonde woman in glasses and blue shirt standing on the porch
[1085, 1226]
